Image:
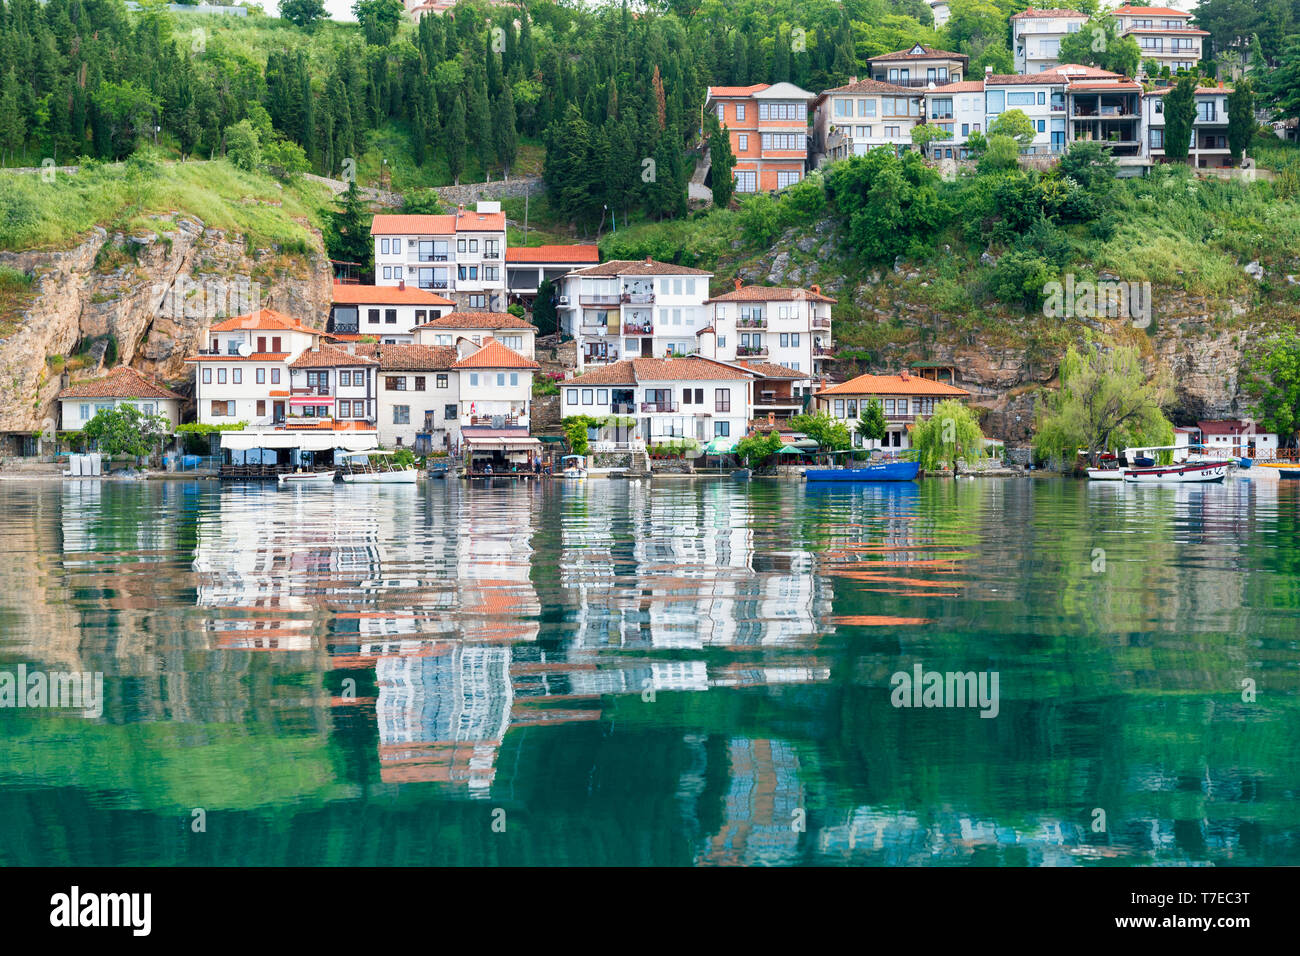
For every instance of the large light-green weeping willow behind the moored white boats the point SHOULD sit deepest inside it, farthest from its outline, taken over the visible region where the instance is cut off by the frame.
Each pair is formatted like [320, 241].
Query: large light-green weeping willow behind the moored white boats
[1106, 401]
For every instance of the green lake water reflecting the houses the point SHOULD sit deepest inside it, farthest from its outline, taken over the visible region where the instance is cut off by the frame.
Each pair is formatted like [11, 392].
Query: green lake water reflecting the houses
[679, 673]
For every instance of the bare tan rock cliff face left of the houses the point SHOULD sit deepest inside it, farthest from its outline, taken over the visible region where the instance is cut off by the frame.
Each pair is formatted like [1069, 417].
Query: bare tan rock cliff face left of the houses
[150, 296]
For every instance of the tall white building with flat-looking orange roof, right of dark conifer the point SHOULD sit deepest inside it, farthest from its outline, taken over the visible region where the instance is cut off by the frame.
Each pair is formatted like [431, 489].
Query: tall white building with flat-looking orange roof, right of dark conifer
[461, 256]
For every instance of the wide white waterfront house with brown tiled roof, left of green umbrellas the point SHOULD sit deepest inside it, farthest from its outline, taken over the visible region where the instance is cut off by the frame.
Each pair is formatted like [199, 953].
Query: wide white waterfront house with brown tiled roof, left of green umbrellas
[665, 401]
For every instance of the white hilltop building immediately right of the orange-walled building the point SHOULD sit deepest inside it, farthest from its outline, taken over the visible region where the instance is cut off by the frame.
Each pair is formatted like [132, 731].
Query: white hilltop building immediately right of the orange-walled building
[863, 115]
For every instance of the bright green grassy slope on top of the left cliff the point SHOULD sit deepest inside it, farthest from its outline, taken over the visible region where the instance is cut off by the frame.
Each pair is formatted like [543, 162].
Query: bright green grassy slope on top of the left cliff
[125, 197]
